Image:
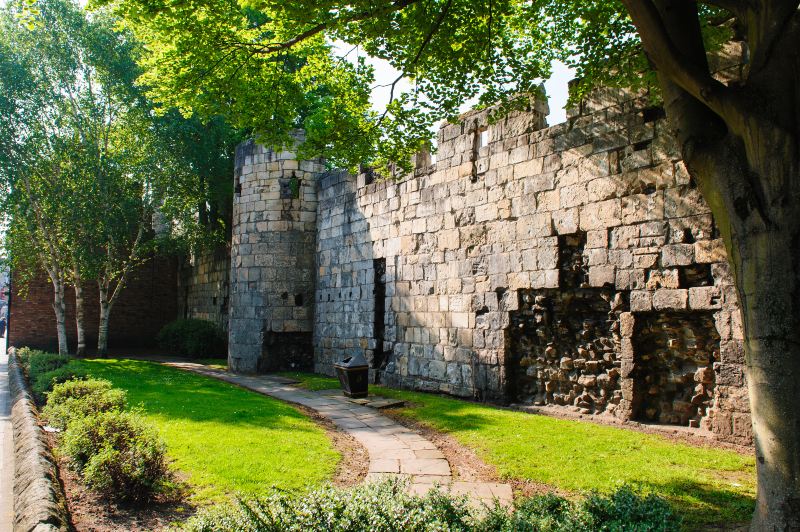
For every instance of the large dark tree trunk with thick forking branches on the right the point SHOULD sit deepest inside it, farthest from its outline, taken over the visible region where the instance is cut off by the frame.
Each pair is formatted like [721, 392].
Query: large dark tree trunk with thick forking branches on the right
[741, 144]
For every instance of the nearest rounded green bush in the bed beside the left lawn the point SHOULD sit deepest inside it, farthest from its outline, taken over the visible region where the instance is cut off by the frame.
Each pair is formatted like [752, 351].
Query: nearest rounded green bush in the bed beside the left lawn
[117, 454]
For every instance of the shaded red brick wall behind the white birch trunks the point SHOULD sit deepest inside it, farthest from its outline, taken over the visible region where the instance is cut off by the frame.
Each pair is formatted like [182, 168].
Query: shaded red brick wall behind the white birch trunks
[148, 301]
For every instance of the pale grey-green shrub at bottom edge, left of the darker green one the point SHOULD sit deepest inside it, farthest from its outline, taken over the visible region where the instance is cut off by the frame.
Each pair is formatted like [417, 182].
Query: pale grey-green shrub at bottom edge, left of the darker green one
[370, 507]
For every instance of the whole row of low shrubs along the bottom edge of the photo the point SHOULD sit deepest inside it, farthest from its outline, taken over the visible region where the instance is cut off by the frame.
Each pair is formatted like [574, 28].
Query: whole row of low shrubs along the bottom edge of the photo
[386, 506]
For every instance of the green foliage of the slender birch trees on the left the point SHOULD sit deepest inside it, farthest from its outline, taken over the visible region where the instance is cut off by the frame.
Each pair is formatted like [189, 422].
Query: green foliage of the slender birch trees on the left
[84, 161]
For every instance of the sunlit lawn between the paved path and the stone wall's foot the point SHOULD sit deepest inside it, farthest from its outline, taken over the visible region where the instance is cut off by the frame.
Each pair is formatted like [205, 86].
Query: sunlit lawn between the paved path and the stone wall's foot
[706, 485]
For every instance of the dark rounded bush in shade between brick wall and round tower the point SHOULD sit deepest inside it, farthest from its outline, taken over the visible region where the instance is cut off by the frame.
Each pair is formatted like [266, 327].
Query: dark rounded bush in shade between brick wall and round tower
[192, 338]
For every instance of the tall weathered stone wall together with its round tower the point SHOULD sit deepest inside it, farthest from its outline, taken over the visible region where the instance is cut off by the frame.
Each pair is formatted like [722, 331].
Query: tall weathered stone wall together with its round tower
[575, 266]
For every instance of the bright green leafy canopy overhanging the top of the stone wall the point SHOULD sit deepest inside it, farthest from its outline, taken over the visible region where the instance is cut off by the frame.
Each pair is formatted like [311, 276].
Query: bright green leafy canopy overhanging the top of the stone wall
[269, 65]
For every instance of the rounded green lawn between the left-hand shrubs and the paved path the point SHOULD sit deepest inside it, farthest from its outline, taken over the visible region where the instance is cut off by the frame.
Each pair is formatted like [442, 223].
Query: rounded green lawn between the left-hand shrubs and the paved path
[223, 438]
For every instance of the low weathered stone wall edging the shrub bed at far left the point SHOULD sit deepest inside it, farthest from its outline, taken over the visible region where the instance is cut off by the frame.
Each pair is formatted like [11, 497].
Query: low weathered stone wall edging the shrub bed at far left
[38, 499]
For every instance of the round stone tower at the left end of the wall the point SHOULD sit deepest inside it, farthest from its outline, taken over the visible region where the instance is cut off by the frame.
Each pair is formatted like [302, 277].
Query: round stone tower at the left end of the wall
[273, 260]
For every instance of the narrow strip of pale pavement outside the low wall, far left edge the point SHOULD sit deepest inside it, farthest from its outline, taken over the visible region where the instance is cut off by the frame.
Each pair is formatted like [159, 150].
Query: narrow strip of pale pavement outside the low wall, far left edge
[6, 446]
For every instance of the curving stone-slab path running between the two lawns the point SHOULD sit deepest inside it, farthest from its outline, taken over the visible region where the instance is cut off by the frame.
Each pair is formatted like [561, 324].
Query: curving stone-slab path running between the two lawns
[394, 450]
